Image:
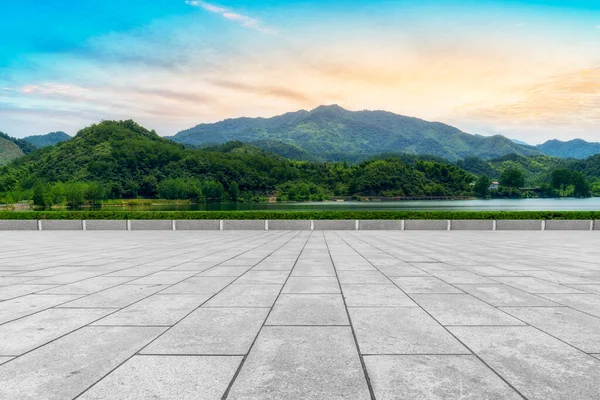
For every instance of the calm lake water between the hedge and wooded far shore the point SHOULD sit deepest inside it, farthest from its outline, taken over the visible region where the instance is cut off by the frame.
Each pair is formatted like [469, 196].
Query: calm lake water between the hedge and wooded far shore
[465, 205]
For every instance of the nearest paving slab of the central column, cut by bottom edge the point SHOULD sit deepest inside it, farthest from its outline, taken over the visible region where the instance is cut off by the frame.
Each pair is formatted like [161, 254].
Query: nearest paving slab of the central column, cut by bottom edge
[302, 363]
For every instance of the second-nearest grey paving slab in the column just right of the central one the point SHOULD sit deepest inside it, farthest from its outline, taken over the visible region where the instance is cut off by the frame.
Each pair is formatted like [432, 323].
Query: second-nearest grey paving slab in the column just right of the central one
[403, 330]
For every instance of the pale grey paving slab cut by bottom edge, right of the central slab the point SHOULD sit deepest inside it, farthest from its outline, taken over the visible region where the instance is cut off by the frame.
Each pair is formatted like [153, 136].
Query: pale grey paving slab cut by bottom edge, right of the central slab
[435, 377]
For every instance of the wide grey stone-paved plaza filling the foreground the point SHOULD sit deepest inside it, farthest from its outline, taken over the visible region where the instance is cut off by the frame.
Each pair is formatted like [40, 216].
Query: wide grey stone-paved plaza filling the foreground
[300, 315]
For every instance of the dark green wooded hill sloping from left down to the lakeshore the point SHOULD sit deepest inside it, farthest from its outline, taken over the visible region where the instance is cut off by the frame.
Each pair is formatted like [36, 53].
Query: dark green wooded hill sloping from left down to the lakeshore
[124, 160]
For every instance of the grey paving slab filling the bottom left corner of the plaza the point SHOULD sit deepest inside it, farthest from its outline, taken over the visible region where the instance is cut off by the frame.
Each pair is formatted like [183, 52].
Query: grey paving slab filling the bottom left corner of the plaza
[68, 366]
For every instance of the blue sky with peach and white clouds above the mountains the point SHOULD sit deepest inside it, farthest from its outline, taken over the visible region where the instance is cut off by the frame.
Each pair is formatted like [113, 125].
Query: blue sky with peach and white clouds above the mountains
[529, 69]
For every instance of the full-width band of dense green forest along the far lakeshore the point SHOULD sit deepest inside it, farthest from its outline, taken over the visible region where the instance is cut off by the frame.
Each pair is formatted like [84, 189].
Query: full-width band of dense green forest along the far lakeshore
[123, 160]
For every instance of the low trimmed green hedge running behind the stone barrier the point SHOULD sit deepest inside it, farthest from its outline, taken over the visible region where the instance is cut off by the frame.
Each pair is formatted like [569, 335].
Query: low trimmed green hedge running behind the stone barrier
[336, 215]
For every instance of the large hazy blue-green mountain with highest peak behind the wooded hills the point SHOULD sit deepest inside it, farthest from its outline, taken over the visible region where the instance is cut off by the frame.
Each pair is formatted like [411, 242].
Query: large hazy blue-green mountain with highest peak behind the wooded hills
[333, 133]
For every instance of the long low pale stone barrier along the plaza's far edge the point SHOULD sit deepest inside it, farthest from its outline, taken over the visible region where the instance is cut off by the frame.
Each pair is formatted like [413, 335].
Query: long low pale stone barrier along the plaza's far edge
[318, 225]
